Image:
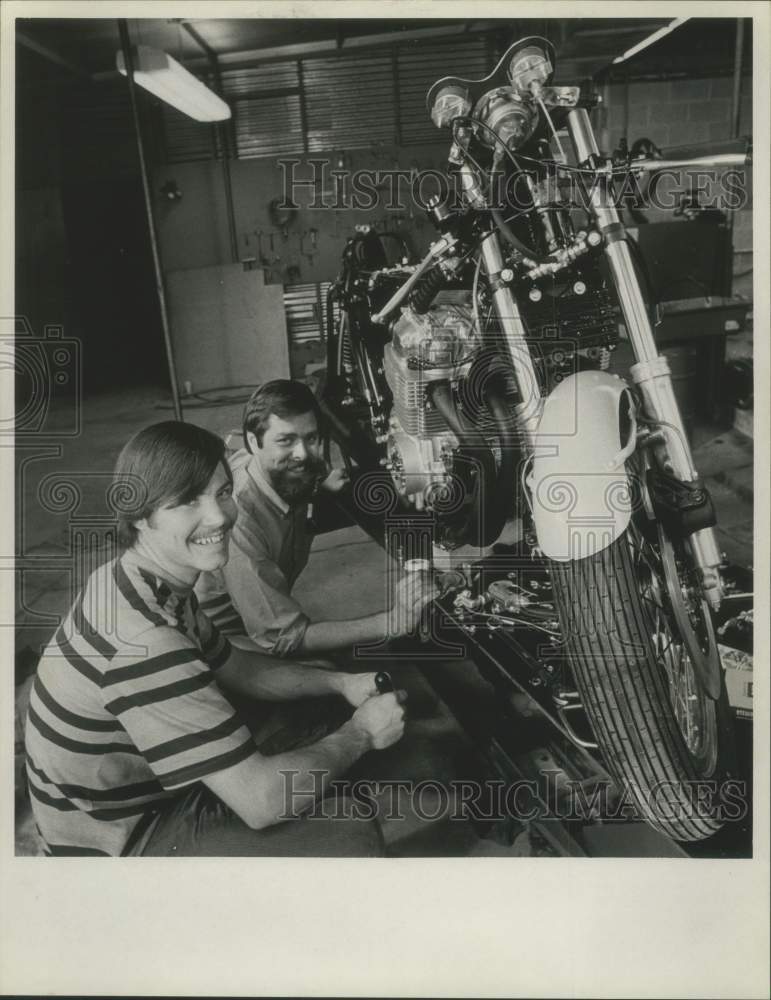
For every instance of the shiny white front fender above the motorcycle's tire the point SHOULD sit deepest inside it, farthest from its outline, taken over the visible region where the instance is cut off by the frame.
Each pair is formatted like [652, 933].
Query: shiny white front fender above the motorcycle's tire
[579, 490]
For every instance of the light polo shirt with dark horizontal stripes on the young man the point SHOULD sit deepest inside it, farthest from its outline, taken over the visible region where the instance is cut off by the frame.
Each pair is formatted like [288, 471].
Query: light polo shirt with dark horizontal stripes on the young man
[125, 710]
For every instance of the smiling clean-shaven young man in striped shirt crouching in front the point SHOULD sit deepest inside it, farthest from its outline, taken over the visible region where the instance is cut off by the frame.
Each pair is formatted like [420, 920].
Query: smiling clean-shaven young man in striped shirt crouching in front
[133, 746]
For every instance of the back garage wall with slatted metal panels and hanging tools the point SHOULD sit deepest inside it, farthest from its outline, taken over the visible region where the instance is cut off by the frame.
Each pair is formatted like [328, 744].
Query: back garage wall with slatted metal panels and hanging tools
[352, 112]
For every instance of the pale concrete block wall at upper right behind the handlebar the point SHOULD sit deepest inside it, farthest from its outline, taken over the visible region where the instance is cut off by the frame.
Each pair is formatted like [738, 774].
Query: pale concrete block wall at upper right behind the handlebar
[678, 112]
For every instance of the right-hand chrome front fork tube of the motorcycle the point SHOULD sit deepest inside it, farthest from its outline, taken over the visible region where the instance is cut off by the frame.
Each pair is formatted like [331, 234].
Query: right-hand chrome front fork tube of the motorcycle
[651, 372]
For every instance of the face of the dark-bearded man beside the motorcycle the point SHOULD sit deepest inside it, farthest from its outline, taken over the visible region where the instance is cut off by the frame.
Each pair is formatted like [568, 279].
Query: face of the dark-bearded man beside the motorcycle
[290, 455]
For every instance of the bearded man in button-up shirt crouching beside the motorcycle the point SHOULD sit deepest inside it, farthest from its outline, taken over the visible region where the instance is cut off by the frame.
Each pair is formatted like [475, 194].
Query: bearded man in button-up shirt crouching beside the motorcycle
[275, 477]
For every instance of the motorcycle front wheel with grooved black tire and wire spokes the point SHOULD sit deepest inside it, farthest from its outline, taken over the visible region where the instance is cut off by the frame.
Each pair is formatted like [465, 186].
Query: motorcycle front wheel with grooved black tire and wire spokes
[630, 640]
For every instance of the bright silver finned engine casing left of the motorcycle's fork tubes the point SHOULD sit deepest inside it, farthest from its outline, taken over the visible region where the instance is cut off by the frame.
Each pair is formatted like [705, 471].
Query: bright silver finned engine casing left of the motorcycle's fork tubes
[426, 347]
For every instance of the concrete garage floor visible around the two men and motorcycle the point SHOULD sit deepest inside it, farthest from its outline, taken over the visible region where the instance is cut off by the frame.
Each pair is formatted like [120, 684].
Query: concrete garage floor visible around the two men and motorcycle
[50, 511]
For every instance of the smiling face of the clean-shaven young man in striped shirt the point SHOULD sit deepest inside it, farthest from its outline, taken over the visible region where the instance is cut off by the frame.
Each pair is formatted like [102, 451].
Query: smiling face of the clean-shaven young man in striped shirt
[192, 537]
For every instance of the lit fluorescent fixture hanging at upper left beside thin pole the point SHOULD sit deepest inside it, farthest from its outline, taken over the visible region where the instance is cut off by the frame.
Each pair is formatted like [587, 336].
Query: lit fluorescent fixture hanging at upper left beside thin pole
[163, 76]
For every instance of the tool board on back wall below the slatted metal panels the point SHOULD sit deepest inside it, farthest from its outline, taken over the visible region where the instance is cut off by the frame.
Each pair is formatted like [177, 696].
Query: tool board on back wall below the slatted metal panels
[293, 214]
